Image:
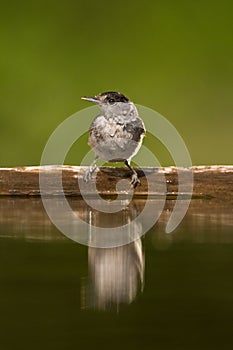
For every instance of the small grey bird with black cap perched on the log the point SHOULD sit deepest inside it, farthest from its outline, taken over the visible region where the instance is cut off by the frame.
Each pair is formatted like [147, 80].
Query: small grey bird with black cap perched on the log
[116, 134]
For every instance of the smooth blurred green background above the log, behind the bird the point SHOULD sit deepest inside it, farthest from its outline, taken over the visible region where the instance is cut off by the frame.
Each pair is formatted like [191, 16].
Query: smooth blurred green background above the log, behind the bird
[173, 56]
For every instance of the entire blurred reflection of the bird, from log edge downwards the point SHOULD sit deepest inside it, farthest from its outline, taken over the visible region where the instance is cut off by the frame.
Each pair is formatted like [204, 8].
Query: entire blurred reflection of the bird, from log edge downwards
[116, 275]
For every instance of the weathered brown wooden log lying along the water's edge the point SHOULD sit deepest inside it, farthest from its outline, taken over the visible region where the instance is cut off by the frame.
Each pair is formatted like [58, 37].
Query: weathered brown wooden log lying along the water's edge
[209, 181]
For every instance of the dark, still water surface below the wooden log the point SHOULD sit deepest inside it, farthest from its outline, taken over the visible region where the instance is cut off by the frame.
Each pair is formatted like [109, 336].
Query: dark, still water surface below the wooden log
[161, 292]
